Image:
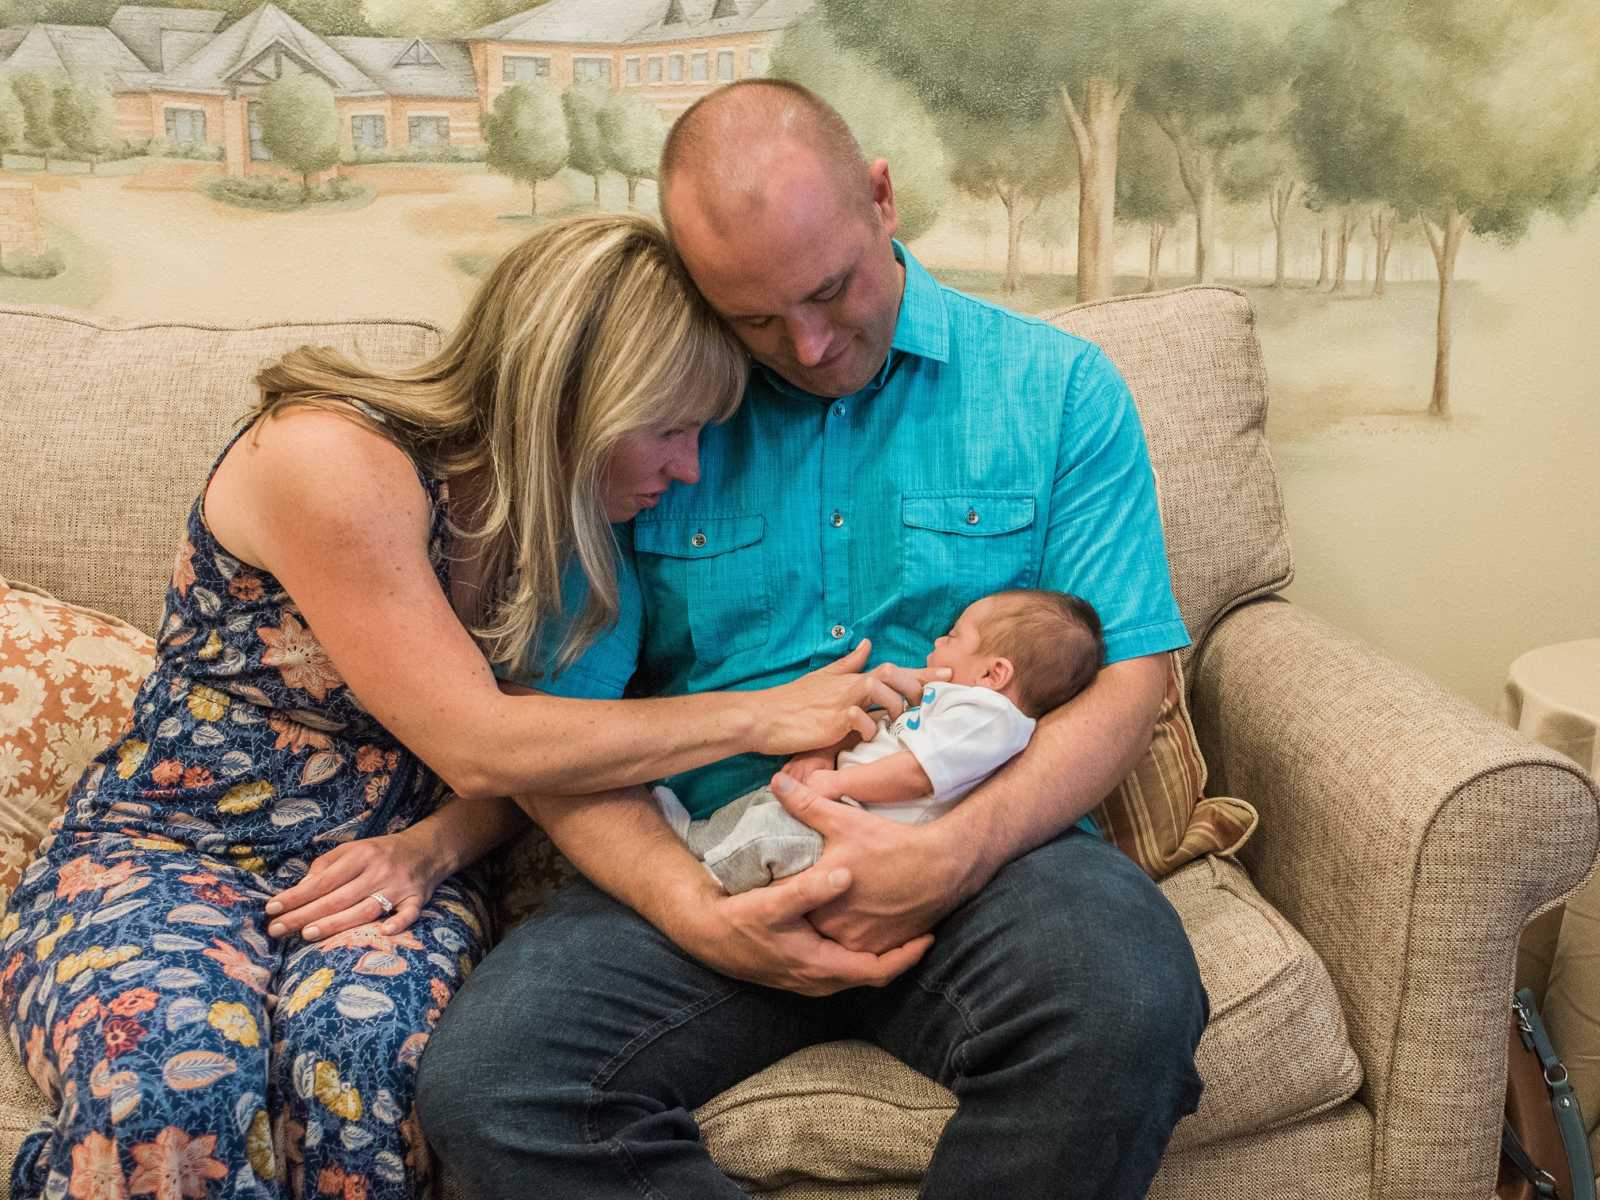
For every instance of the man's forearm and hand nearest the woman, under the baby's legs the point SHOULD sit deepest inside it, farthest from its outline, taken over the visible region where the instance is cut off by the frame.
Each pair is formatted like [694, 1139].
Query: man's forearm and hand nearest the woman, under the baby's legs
[623, 846]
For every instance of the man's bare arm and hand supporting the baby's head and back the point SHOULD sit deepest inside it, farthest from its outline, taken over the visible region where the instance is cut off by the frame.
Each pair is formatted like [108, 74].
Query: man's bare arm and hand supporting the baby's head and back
[1078, 756]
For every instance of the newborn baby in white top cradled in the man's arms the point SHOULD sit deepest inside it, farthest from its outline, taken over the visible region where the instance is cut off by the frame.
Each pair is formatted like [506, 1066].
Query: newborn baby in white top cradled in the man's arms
[1014, 657]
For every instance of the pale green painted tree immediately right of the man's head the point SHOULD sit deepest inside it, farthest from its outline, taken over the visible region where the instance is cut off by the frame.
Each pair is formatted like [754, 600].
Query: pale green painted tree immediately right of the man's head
[887, 118]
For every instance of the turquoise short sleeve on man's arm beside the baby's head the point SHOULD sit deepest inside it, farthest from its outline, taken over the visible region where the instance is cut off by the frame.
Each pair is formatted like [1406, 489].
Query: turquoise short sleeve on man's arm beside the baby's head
[1105, 538]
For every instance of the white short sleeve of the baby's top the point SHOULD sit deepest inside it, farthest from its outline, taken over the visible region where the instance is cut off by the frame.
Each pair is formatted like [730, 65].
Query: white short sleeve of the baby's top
[964, 737]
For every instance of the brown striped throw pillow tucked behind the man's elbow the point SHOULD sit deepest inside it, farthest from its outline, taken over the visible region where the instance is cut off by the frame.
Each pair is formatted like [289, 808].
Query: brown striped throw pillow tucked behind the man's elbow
[1161, 815]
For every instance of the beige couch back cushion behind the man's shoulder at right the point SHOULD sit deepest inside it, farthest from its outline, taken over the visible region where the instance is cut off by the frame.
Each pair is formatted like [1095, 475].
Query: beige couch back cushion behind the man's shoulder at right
[1193, 362]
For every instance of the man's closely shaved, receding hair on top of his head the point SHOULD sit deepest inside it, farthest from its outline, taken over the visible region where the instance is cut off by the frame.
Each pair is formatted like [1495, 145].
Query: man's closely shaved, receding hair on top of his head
[786, 110]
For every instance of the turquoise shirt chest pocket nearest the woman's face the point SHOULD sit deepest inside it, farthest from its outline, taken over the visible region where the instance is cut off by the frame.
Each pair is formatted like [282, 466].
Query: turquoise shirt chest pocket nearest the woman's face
[706, 585]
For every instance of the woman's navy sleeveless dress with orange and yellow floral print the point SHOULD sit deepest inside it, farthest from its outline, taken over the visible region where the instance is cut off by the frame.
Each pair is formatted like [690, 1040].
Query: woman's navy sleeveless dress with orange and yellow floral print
[185, 1052]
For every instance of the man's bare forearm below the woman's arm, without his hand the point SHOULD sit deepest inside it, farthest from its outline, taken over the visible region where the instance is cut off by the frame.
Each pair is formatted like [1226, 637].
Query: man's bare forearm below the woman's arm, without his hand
[623, 846]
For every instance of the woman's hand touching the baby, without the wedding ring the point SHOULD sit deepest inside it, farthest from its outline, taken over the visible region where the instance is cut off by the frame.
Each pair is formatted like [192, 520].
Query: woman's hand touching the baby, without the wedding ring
[833, 702]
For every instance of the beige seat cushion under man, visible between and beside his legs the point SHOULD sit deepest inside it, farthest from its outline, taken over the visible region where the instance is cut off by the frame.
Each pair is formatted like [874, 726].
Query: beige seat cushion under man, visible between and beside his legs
[1274, 1054]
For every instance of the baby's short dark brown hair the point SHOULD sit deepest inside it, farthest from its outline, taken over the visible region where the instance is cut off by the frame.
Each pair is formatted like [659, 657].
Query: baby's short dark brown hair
[1054, 641]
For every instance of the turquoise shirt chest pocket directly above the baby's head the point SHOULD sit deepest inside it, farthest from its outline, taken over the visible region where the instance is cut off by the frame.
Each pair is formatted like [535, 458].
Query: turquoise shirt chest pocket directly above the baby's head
[961, 546]
